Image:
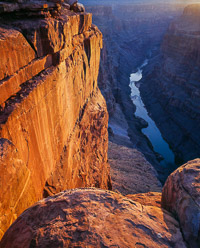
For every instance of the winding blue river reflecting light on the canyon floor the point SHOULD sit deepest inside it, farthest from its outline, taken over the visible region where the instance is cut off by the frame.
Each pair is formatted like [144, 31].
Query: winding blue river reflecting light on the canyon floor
[151, 132]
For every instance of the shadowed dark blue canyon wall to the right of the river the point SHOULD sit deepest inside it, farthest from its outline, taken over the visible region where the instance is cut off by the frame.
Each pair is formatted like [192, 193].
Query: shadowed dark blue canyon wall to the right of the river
[171, 85]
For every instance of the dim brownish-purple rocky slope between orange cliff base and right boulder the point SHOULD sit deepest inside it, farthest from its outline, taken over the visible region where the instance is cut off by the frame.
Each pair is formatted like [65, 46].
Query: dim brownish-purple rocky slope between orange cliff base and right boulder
[130, 171]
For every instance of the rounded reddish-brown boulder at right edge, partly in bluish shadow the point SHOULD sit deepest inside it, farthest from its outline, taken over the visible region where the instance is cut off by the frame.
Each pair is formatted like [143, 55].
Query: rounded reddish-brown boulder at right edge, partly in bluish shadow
[181, 196]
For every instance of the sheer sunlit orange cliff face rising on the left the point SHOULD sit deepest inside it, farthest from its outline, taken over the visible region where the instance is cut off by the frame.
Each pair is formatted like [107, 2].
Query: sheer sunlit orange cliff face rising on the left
[53, 118]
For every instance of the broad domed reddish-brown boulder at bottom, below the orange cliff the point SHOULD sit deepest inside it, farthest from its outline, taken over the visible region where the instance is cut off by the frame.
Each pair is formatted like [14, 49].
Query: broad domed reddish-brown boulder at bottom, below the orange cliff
[93, 218]
